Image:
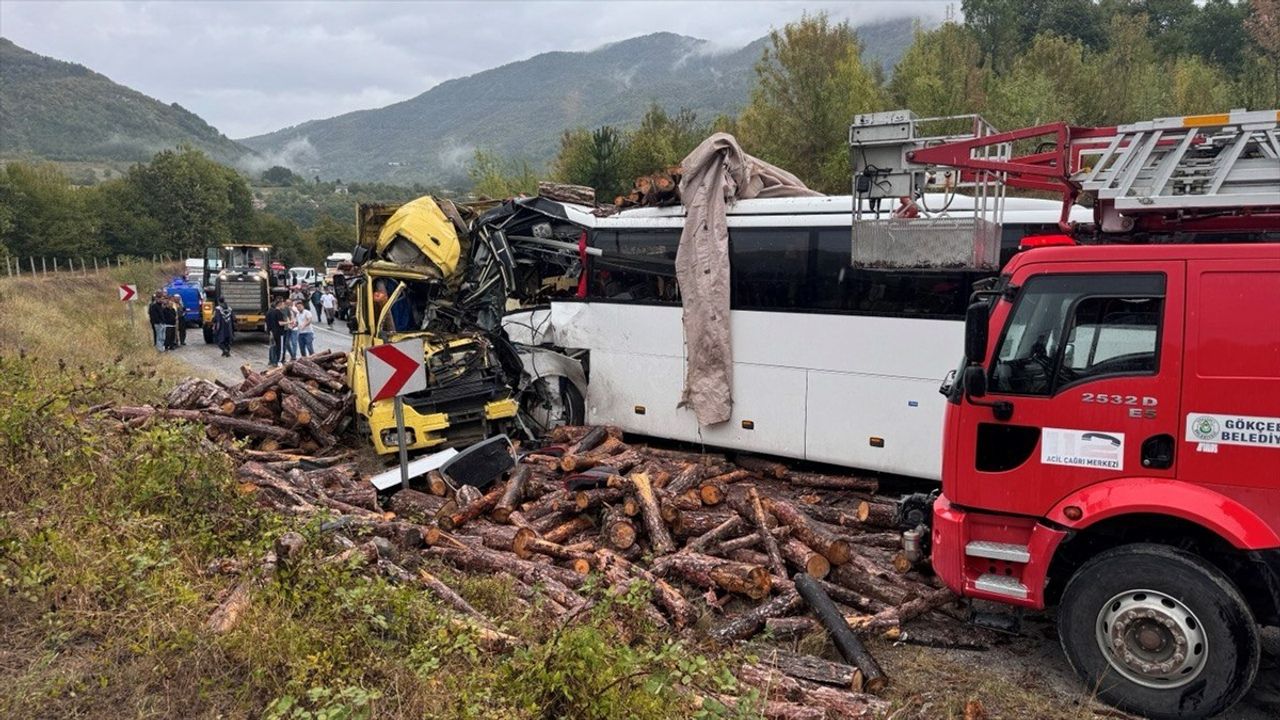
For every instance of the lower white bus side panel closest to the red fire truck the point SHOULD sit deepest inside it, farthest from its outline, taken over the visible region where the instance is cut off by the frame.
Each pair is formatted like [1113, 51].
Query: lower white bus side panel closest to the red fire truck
[876, 422]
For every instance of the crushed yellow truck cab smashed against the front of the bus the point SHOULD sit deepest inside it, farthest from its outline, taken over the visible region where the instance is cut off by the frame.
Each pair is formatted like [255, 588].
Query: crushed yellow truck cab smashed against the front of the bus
[412, 261]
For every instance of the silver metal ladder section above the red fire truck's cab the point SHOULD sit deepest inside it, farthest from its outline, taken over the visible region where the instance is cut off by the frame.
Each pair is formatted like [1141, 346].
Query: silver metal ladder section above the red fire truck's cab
[1201, 163]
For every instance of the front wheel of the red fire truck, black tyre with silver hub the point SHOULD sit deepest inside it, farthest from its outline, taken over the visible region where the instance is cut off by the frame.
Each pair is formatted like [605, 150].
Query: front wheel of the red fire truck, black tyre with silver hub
[1159, 632]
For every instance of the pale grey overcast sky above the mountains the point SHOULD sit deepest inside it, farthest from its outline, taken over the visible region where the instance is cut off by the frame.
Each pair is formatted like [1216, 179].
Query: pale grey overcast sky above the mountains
[257, 67]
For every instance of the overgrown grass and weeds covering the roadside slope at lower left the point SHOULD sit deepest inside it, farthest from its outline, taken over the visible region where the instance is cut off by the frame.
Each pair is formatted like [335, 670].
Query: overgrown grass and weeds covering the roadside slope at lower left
[111, 543]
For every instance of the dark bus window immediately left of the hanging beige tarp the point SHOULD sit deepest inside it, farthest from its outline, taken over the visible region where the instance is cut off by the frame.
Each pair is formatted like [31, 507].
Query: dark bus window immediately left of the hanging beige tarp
[636, 266]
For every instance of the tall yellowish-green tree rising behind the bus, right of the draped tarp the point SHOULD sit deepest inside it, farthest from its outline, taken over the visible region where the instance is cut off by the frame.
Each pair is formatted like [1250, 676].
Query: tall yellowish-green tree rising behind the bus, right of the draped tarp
[810, 85]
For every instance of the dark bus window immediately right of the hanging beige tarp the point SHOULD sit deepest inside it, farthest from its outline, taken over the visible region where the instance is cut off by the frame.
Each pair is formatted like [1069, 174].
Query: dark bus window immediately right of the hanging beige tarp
[770, 268]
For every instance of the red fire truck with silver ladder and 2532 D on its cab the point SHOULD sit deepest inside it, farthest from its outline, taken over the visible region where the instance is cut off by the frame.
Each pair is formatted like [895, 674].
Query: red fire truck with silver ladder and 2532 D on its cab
[1113, 438]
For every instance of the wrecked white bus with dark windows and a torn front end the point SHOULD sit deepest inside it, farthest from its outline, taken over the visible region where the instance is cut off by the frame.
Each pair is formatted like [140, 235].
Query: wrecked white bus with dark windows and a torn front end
[831, 363]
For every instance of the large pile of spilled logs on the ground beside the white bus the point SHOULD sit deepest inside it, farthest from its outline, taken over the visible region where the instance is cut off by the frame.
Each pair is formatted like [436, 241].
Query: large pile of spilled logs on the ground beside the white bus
[735, 548]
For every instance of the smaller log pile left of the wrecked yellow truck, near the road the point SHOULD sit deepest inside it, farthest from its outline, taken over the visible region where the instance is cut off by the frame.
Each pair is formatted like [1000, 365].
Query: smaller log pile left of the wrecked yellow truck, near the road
[298, 411]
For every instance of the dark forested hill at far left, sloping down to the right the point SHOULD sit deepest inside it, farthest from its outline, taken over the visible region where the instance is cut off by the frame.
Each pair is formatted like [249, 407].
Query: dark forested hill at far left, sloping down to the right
[57, 111]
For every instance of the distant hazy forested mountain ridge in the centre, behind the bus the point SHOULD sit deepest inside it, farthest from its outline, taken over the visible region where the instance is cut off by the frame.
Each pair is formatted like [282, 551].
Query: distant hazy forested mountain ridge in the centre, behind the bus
[522, 110]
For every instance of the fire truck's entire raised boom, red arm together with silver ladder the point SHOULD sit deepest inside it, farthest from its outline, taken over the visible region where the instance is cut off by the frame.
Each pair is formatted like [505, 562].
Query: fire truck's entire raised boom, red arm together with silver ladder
[1218, 172]
